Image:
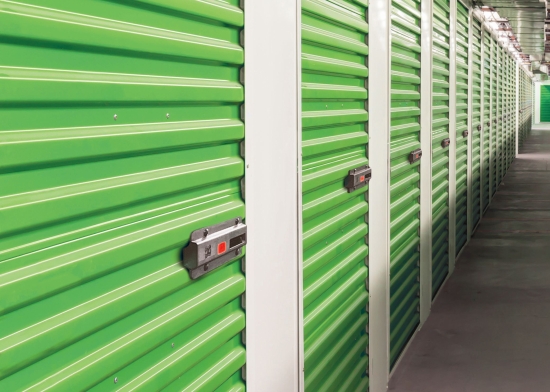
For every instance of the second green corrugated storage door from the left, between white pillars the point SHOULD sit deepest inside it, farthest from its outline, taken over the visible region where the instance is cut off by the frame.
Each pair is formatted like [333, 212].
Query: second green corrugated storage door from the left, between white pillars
[334, 77]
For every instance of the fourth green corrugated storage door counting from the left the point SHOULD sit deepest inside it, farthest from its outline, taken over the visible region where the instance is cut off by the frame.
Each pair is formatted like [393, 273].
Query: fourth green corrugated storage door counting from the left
[440, 146]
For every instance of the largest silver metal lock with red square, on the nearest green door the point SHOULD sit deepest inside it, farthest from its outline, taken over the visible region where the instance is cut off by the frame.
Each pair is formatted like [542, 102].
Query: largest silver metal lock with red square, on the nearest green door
[213, 246]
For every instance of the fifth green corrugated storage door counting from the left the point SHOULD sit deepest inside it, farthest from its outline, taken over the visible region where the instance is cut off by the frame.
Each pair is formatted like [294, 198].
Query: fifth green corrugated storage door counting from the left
[461, 126]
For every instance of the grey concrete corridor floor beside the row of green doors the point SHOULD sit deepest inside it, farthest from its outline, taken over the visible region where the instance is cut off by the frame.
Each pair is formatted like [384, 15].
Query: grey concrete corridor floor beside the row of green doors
[489, 329]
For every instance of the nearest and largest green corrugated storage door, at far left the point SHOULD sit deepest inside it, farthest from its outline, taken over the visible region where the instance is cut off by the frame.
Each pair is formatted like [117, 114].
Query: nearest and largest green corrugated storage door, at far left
[119, 137]
